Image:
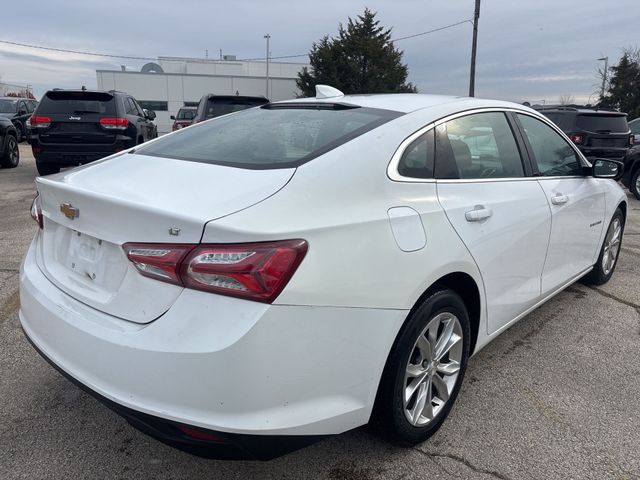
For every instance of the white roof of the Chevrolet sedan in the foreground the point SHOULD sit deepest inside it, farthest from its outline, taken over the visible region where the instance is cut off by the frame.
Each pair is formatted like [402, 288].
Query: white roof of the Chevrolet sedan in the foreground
[410, 102]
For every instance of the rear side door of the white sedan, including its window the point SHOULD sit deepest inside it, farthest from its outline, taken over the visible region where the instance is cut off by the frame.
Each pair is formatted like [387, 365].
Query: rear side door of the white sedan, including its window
[497, 209]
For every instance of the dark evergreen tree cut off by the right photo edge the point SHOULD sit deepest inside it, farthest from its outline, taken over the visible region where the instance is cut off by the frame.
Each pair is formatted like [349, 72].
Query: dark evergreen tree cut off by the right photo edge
[623, 91]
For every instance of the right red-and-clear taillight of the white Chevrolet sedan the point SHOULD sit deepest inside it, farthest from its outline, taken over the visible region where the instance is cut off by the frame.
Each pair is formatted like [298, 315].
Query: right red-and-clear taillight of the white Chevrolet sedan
[255, 271]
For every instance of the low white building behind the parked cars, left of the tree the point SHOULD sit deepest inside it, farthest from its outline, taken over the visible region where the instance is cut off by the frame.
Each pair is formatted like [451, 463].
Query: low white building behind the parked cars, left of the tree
[175, 82]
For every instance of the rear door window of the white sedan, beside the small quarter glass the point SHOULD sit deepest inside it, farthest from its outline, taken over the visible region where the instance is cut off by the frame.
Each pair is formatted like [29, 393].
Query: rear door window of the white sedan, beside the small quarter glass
[477, 146]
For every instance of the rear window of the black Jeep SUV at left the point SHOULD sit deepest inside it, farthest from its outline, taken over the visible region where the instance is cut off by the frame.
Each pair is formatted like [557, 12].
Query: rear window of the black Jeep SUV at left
[77, 102]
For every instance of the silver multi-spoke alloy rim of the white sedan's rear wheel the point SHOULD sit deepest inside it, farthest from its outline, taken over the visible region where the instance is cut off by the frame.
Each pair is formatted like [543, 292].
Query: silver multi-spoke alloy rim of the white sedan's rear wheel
[433, 368]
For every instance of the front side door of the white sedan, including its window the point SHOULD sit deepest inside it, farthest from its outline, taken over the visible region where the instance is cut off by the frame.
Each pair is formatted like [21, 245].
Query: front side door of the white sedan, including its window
[576, 200]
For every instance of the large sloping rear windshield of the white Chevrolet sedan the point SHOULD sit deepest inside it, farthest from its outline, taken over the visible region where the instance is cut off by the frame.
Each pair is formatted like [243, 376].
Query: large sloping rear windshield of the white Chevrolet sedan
[274, 136]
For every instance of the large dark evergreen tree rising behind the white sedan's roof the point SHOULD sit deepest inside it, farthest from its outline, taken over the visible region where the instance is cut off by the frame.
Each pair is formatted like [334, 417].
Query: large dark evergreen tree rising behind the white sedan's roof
[361, 59]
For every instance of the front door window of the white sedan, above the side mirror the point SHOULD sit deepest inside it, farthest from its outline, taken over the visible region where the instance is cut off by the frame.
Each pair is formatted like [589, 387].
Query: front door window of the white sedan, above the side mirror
[554, 156]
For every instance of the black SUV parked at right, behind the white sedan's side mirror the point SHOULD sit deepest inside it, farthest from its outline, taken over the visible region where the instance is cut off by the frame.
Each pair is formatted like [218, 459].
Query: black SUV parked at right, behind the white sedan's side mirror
[597, 133]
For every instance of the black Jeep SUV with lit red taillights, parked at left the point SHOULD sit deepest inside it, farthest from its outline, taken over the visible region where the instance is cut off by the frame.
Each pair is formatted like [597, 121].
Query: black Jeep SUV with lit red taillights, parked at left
[73, 127]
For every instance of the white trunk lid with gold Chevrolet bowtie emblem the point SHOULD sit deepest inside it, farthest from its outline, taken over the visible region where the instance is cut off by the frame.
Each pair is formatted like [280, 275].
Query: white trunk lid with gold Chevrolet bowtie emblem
[89, 212]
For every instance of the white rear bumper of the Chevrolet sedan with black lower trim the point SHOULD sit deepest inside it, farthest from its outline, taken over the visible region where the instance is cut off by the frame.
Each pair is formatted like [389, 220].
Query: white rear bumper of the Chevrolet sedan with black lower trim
[241, 370]
